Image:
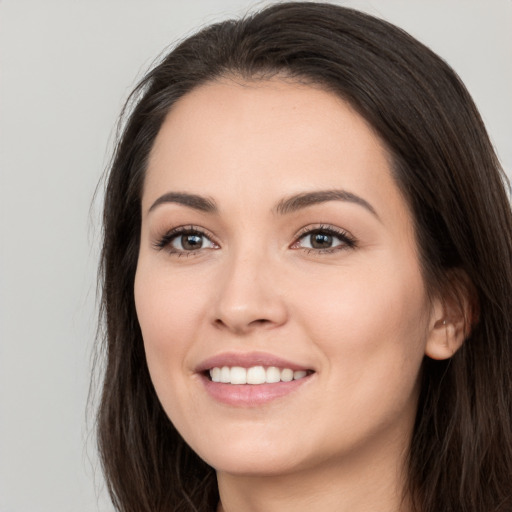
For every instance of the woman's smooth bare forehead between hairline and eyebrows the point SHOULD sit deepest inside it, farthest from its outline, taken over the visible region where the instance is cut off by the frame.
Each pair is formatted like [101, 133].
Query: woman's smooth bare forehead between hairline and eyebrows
[236, 139]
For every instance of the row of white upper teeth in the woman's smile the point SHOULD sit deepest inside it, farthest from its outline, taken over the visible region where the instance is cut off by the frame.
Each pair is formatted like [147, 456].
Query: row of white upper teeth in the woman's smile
[255, 375]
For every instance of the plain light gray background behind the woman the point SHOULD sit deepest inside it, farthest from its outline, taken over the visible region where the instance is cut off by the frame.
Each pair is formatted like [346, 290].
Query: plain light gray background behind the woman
[65, 69]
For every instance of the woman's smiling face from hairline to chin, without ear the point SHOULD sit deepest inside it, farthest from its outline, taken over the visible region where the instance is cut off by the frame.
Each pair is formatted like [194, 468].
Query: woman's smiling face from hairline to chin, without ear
[275, 245]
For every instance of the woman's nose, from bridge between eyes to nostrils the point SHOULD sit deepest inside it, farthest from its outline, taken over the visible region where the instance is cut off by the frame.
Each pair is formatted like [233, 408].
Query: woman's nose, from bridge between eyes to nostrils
[249, 296]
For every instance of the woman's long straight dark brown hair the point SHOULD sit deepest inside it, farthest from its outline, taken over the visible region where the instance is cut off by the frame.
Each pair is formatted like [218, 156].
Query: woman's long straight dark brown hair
[461, 453]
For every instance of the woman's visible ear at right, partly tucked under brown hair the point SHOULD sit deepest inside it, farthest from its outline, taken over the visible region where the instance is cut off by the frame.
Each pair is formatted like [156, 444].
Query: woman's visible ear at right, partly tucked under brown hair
[454, 312]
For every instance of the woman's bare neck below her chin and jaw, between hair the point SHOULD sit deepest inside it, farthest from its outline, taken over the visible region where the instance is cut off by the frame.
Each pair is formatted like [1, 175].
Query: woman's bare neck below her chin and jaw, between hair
[362, 485]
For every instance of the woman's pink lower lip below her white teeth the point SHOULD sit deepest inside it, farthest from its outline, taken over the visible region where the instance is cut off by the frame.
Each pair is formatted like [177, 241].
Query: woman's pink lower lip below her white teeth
[251, 395]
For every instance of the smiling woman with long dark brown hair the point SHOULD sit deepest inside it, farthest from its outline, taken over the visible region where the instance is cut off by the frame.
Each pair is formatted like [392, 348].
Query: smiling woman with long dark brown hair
[306, 278]
